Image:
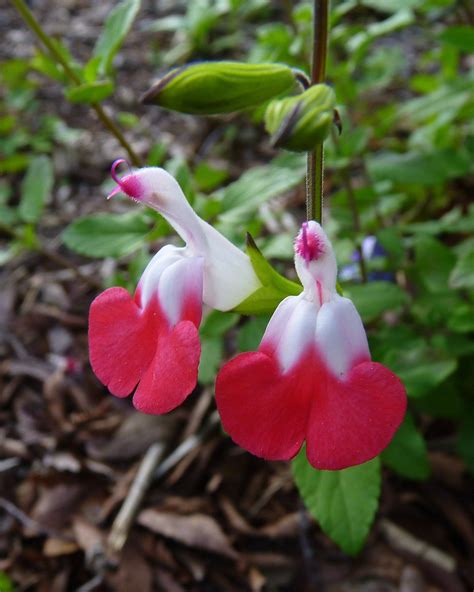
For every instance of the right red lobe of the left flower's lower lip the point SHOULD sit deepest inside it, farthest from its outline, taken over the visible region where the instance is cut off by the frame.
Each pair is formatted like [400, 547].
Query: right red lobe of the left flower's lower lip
[172, 374]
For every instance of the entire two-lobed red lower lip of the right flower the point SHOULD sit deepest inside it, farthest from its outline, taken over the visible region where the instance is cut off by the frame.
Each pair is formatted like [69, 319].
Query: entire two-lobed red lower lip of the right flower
[344, 422]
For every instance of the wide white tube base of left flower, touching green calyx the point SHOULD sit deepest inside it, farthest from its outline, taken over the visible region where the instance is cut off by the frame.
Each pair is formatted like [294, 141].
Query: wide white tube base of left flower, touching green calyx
[229, 277]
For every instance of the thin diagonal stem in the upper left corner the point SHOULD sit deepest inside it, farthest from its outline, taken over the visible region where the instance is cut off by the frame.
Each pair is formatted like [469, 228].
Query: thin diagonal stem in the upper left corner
[33, 24]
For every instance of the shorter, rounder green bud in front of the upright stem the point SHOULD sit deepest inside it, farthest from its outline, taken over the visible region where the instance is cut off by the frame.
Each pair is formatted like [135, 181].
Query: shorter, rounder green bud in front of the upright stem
[302, 122]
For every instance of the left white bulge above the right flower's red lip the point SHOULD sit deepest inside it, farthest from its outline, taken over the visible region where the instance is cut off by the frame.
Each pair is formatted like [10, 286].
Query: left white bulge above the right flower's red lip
[291, 331]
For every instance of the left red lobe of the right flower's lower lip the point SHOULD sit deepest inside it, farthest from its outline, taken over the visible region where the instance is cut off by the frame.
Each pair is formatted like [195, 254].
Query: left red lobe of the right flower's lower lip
[261, 410]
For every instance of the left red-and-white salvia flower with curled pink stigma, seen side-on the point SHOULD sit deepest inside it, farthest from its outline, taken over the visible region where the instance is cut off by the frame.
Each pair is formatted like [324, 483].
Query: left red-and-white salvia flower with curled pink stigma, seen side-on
[151, 339]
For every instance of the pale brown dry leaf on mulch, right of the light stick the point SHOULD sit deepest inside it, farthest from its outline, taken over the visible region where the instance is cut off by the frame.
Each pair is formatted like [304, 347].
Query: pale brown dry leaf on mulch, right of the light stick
[197, 530]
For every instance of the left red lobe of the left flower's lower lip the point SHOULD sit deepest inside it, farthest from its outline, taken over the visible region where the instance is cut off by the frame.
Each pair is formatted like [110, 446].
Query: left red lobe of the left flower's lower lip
[122, 340]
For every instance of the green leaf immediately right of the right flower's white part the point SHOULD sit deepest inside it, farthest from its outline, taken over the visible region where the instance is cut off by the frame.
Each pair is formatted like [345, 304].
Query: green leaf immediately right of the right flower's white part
[374, 298]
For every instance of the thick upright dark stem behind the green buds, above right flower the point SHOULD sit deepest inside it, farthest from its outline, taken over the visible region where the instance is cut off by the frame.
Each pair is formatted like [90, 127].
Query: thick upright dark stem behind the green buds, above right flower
[315, 162]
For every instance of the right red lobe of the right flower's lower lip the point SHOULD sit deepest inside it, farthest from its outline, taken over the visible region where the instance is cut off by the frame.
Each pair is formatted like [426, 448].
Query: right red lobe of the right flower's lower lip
[354, 420]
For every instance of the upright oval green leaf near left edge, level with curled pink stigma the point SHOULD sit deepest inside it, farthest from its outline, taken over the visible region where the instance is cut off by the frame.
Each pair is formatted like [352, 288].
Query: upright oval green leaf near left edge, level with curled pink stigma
[36, 188]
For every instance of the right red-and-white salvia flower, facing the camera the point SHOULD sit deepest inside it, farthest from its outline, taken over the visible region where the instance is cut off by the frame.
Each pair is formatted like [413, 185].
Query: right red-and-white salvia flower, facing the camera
[312, 378]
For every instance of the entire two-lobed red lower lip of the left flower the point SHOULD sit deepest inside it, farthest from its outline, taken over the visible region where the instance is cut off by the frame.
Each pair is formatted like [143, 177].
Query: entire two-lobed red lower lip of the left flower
[130, 346]
